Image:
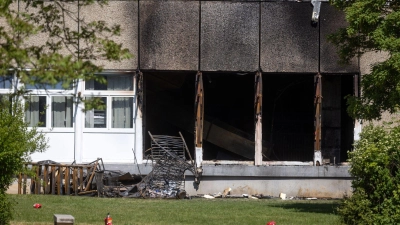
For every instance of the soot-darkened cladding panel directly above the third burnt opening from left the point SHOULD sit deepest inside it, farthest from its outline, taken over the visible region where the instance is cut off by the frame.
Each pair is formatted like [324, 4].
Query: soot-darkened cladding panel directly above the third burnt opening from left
[288, 41]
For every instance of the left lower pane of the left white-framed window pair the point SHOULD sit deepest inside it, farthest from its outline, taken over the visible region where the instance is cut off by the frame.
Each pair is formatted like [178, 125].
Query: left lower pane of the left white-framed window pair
[35, 114]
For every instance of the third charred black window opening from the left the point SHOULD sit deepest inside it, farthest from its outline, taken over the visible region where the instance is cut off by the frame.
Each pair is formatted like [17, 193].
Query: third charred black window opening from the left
[288, 117]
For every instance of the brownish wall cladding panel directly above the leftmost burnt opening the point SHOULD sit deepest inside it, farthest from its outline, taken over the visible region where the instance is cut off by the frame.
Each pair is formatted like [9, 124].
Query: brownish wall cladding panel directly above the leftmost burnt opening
[169, 35]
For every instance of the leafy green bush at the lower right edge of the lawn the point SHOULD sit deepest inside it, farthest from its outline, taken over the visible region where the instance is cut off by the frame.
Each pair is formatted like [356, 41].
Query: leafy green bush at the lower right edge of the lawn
[376, 185]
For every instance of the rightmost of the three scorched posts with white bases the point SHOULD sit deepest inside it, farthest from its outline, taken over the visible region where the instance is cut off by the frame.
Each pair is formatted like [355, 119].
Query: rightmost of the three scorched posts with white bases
[317, 119]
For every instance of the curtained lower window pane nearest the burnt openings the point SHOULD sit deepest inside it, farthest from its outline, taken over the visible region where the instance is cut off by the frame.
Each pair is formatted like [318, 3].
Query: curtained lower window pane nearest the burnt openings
[122, 112]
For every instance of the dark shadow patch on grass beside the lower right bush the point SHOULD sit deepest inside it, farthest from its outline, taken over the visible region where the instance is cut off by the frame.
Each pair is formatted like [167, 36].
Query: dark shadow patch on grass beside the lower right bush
[310, 207]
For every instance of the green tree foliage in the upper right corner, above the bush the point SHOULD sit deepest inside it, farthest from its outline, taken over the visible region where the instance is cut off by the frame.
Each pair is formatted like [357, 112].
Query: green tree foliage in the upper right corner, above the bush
[373, 26]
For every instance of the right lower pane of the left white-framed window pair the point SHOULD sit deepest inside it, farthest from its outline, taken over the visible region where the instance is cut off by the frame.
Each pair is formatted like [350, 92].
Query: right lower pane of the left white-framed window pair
[61, 111]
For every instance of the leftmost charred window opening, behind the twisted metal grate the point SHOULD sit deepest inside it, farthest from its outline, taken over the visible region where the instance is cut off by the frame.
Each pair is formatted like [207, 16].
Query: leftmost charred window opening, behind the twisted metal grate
[169, 106]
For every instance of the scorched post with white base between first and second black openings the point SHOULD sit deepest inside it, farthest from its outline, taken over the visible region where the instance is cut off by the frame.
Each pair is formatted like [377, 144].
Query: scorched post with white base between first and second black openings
[199, 118]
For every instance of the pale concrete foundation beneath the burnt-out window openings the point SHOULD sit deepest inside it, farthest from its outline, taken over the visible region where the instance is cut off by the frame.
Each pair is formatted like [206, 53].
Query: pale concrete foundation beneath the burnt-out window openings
[296, 181]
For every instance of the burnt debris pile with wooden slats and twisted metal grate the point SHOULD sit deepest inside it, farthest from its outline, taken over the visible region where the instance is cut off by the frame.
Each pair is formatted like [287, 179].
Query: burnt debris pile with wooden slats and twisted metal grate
[166, 180]
